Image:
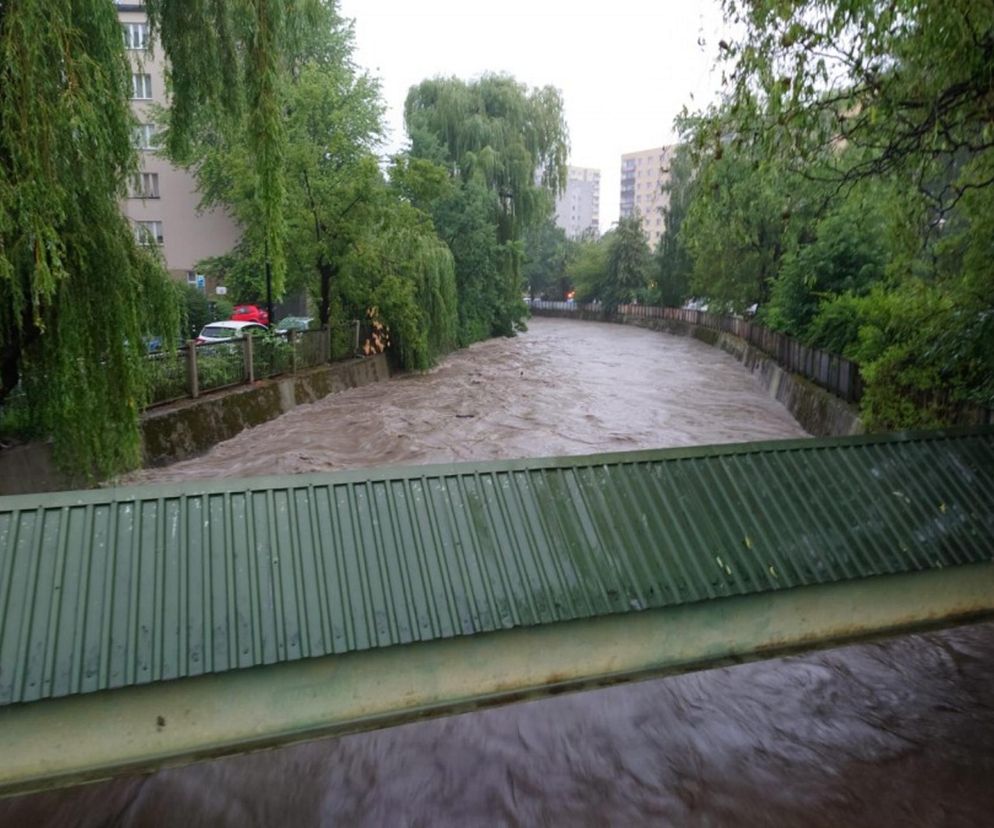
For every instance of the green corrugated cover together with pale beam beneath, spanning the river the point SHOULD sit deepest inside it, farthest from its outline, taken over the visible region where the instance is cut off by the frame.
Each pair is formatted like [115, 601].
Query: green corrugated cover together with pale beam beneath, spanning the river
[144, 626]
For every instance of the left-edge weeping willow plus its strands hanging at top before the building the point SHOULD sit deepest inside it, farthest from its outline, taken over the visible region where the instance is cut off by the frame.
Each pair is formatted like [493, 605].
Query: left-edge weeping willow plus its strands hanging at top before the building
[77, 294]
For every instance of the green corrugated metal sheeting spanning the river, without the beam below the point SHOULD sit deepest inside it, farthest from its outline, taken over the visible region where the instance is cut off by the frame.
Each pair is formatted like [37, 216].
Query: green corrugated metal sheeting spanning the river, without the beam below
[113, 588]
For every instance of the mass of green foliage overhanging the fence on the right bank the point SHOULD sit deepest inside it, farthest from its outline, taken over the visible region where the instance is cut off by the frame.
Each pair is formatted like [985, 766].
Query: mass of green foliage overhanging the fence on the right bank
[846, 183]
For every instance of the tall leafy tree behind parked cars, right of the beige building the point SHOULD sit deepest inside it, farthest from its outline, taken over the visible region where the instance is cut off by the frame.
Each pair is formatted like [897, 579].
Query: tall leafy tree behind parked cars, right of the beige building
[331, 116]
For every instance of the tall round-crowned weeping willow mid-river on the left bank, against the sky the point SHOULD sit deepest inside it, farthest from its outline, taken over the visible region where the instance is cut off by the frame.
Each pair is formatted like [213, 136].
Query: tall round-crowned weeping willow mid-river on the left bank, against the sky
[506, 146]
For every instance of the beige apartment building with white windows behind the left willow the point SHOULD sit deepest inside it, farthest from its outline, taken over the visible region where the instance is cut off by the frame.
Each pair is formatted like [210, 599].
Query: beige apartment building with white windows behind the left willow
[162, 201]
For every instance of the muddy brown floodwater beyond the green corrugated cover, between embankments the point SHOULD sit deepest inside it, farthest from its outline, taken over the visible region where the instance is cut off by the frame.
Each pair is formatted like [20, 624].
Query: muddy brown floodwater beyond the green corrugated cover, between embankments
[564, 387]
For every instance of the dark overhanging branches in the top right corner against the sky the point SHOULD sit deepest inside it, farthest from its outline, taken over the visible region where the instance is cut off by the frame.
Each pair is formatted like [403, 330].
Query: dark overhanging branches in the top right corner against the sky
[905, 84]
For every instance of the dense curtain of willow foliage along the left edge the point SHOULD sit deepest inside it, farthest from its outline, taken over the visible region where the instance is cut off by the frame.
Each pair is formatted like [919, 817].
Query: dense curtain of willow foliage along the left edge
[76, 293]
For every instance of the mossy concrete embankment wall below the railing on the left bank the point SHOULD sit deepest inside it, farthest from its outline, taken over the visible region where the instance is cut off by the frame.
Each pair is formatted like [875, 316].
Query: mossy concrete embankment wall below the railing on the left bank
[190, 427]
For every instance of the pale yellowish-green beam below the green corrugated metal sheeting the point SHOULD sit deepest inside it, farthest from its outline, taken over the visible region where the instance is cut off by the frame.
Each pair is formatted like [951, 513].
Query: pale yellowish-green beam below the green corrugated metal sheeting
[93, 736]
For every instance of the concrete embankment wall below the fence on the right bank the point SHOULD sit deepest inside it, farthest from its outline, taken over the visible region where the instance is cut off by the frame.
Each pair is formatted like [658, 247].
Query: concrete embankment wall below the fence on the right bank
[818, 411]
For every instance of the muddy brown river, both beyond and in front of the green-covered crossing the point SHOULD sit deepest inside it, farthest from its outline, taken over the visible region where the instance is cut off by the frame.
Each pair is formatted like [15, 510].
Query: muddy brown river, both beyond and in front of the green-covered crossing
[898, 733]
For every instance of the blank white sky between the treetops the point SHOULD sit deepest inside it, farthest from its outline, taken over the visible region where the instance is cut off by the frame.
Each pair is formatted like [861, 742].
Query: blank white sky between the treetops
[625, 68]
